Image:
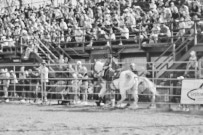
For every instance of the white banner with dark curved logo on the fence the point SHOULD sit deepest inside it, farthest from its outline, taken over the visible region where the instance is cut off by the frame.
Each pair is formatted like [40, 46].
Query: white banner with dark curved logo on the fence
[192, 92]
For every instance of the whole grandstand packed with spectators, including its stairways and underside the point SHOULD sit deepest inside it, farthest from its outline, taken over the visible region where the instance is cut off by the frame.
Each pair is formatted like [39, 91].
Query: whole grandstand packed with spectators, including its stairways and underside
[140, 31]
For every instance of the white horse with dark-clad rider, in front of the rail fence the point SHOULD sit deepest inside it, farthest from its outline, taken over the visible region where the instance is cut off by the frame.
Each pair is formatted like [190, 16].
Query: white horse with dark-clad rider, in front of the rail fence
[127, 82]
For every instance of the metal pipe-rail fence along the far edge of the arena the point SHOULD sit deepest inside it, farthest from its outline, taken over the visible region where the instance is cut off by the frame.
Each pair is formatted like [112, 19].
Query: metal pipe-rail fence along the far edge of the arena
[73, 88]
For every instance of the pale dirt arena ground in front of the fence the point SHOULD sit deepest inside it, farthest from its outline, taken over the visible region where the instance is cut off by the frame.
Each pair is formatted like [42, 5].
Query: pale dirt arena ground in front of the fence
[27, 119]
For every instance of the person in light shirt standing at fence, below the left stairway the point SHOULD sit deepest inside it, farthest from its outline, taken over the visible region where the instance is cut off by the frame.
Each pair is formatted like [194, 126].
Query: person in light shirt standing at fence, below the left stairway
[44, 71]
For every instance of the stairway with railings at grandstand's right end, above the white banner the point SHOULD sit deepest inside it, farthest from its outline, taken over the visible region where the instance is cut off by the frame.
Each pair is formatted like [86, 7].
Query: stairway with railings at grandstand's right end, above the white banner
[179, 51]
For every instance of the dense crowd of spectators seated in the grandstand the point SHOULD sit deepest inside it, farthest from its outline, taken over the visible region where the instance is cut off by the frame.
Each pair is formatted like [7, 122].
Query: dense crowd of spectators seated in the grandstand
[108, 20]
